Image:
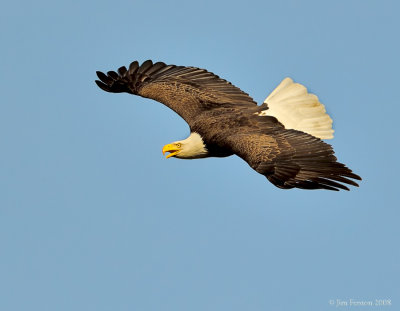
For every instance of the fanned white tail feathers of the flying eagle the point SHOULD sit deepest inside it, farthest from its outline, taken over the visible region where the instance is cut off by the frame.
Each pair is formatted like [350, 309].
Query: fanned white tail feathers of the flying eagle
[297, 109]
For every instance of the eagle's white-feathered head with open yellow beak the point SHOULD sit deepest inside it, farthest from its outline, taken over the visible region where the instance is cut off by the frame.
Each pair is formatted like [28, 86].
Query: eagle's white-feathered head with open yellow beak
[190, 148]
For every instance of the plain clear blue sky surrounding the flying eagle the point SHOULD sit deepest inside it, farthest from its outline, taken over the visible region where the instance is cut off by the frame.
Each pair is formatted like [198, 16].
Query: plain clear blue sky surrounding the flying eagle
[93, 217]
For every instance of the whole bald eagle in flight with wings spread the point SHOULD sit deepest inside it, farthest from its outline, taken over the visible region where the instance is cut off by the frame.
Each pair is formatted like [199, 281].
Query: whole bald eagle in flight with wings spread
[280, 139]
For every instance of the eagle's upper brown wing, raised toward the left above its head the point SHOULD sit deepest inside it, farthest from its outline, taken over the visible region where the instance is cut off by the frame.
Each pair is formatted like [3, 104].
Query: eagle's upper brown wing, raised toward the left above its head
[186, 90]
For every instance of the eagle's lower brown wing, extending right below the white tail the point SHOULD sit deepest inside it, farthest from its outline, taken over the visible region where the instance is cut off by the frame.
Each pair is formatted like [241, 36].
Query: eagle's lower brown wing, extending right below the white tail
[293, 159]
